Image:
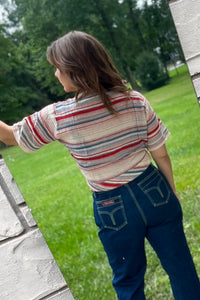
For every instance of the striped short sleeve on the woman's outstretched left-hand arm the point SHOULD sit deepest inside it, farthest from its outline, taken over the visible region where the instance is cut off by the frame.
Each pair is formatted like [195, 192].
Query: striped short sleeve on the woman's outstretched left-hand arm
[36, 130]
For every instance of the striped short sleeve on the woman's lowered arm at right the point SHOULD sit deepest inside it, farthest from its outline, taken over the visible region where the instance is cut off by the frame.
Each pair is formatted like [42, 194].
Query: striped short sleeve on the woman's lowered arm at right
[157, 133]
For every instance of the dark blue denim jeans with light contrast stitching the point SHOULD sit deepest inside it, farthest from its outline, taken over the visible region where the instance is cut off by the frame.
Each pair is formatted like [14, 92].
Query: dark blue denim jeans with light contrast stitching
[145, 208]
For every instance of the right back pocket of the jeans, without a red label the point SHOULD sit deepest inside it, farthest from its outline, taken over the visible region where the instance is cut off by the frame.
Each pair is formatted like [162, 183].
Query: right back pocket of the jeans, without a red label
[156, 188]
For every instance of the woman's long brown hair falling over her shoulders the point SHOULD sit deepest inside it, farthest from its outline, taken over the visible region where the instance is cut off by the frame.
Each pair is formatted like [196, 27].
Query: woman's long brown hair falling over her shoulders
[85, 60]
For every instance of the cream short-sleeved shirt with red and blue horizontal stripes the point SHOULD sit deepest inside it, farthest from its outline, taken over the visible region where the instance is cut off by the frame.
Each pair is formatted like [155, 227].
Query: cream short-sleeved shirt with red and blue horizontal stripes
[110, 150]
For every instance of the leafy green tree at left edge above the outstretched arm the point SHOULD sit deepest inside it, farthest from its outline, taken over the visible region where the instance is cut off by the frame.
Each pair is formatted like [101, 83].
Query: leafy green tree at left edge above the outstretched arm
[19, 93]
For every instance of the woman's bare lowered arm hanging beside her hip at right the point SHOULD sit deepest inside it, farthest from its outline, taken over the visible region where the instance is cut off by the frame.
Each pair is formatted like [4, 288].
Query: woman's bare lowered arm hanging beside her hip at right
[162, 160]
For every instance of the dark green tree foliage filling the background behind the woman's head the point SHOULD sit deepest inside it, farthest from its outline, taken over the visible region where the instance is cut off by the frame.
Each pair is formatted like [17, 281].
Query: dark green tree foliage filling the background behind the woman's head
[27, 81]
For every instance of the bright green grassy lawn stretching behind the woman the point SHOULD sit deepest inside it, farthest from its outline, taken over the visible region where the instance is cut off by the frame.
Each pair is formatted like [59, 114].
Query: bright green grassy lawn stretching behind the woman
[62, 204]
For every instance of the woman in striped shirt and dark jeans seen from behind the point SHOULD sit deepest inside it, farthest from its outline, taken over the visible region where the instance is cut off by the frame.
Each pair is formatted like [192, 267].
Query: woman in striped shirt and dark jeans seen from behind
[112, 133]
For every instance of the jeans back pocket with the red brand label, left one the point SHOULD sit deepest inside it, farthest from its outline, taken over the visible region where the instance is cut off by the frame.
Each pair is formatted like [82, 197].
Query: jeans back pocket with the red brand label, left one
[112, 213]
